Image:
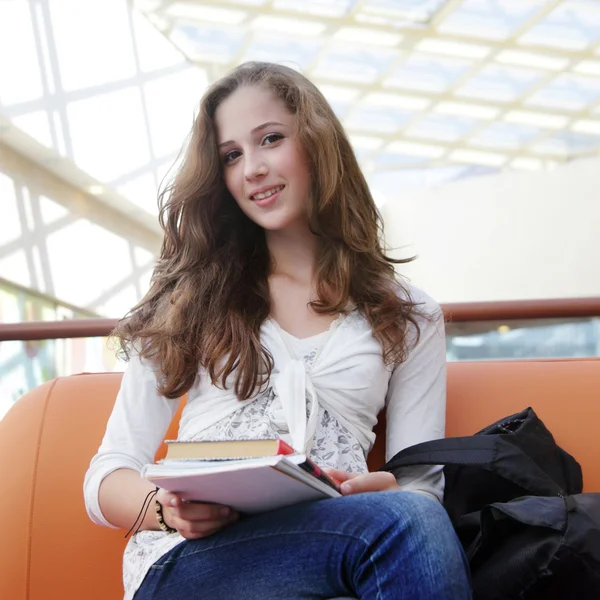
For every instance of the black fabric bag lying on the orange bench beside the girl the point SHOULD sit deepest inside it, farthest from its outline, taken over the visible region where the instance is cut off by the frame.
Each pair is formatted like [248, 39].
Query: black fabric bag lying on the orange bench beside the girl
[514, 498]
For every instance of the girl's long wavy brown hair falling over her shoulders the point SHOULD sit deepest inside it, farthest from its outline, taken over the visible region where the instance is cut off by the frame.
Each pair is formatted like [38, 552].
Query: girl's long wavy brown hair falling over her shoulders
[209, 293]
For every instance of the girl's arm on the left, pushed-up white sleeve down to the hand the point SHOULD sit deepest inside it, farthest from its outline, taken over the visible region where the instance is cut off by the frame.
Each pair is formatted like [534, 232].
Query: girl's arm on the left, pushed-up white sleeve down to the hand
[114, 491]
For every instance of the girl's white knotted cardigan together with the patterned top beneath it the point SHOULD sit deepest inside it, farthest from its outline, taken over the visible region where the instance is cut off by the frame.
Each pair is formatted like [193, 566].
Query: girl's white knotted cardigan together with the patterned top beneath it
[323, 397]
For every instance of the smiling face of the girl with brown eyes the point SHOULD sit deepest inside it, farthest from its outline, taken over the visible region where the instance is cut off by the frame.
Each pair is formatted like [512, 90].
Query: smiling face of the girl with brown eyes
[264, 166]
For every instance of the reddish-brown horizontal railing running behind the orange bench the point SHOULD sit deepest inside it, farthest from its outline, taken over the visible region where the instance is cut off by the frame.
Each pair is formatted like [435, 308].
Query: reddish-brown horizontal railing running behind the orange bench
[456, 313]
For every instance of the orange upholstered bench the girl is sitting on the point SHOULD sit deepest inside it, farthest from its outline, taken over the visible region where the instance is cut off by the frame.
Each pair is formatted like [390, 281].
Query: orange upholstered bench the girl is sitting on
[49, 547]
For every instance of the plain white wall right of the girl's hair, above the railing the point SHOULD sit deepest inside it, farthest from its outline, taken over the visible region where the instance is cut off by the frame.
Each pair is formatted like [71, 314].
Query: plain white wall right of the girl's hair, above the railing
[511, 236]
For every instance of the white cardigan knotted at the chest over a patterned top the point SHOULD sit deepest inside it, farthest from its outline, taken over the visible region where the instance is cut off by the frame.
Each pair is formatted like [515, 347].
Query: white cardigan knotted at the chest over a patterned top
[348, 378]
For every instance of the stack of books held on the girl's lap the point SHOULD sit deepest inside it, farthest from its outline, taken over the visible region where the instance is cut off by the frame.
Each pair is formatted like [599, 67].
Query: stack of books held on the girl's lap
[250, 476]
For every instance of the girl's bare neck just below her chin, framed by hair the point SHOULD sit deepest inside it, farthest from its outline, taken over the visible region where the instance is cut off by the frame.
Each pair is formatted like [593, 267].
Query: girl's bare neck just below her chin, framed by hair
[294, 253]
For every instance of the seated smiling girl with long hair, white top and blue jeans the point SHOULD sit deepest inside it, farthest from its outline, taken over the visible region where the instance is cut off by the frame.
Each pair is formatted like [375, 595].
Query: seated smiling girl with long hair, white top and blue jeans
[274, 308]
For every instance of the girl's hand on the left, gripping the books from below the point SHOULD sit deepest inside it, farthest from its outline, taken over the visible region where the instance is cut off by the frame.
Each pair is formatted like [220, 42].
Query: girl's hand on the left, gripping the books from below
[194, 520]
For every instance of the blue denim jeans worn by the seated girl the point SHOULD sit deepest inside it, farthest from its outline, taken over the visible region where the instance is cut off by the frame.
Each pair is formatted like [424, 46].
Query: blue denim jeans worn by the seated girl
[377, 546]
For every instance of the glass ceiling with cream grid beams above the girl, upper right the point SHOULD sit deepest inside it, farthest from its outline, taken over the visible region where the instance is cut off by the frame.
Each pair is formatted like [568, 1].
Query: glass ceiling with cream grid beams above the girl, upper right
[499, 83]
